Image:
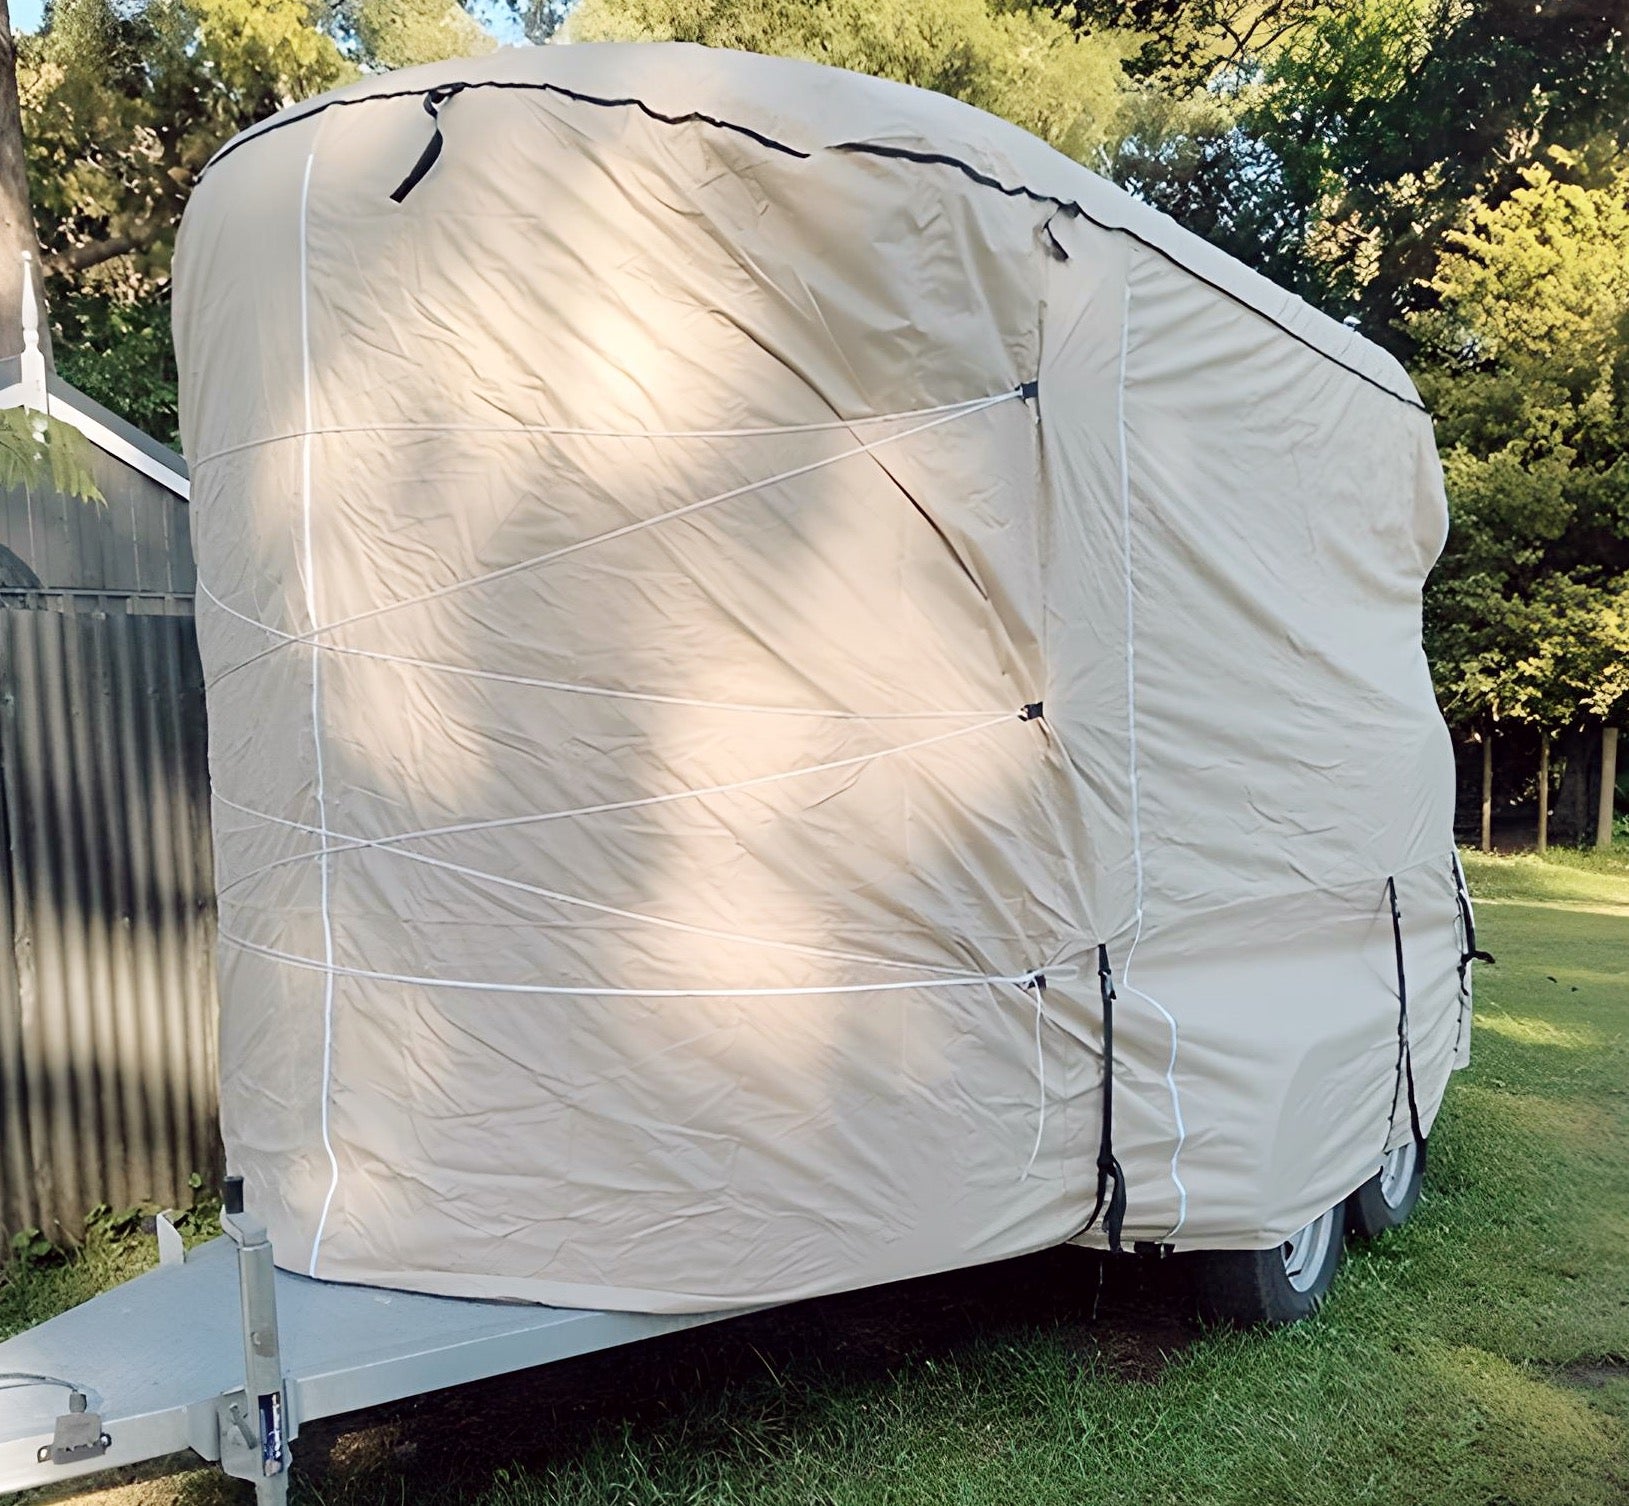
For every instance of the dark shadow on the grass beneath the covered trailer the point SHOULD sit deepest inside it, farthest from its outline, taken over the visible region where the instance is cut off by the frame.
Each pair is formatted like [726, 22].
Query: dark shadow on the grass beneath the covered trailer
[773, 1370]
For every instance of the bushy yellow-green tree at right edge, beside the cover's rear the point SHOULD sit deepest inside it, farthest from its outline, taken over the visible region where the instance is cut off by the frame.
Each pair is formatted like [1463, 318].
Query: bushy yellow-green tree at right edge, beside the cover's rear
[1526, 364]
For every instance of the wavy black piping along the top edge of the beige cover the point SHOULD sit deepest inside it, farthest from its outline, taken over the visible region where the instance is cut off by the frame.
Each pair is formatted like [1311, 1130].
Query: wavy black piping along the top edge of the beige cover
[874, 149]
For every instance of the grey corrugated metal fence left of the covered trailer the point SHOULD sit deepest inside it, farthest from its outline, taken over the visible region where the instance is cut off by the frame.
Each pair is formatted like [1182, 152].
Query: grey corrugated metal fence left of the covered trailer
[107, 915]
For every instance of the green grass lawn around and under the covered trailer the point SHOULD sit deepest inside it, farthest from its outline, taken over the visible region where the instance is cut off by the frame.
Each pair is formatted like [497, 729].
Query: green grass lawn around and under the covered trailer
[1480, 1355]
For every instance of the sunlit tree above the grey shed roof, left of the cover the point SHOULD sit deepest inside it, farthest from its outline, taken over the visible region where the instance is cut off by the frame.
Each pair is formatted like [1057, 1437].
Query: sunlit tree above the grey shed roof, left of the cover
[123, 102]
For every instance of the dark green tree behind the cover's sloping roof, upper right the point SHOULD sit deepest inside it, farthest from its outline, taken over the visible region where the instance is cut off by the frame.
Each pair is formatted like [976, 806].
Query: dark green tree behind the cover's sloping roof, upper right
[1335, 146]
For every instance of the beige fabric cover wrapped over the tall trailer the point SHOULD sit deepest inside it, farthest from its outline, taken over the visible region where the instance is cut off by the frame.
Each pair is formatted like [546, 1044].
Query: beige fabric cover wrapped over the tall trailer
[714, 591]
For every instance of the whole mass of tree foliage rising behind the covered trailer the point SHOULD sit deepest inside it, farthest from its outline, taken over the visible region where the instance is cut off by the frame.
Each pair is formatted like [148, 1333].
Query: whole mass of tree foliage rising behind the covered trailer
[1447, 175]
